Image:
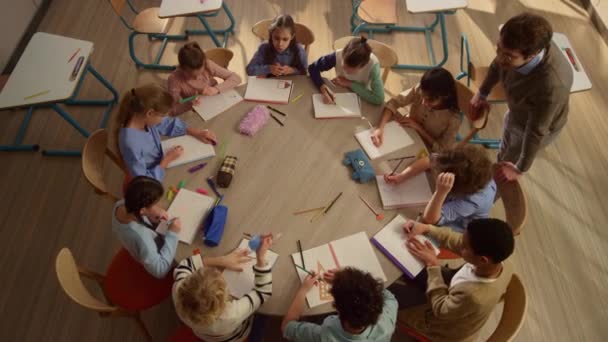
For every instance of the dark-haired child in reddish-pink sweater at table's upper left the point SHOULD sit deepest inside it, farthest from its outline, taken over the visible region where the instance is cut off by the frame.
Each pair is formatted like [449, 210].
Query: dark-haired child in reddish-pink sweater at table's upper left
[196, 75]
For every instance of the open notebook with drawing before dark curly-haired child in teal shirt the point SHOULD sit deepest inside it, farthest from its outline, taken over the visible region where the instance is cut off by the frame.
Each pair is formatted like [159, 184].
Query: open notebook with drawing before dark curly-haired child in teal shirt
[354, 250]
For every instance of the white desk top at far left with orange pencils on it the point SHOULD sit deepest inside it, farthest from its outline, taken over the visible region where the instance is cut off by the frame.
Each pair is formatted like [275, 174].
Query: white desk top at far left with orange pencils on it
[44, 66]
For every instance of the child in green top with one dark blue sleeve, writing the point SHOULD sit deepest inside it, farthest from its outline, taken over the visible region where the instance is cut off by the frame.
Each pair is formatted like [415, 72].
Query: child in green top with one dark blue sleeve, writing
[357, 69]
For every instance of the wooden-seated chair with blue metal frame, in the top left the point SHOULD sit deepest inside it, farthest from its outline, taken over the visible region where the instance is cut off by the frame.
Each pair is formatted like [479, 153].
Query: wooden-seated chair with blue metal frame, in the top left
[146, 22]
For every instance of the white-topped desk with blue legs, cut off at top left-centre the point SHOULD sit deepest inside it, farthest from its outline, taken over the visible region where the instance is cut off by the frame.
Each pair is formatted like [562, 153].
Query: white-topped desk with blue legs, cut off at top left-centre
[202, 9]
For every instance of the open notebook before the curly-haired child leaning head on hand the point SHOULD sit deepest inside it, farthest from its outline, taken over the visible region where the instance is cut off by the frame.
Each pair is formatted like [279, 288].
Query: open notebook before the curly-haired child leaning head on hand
[415, 191]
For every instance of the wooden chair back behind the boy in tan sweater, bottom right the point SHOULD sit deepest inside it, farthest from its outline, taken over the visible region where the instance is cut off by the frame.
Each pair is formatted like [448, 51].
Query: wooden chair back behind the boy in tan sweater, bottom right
[513, 312]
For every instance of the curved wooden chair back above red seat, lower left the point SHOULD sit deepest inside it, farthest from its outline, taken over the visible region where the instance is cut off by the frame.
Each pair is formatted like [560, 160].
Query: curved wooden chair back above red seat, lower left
[68, 274]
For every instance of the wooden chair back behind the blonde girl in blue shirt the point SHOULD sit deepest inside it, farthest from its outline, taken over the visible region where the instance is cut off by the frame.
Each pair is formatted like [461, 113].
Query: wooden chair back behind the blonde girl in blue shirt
[93, 159]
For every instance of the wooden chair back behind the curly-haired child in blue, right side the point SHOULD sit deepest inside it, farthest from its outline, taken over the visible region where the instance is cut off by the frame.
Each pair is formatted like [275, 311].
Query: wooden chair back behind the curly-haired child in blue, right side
[515, 204]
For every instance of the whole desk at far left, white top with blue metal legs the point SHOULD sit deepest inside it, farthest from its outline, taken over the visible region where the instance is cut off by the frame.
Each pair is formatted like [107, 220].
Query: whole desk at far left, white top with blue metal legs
[42, 79]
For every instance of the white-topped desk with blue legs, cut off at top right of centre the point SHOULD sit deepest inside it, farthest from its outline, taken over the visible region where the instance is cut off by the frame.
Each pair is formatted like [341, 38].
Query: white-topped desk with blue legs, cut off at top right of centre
[438, 7]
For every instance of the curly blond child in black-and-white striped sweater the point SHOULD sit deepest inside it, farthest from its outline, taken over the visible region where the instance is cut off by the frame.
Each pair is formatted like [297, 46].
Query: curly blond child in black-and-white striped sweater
[202, 300]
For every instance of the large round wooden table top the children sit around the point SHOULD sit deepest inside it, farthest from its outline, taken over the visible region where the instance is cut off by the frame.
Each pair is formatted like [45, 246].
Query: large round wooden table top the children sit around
[285, 169]
